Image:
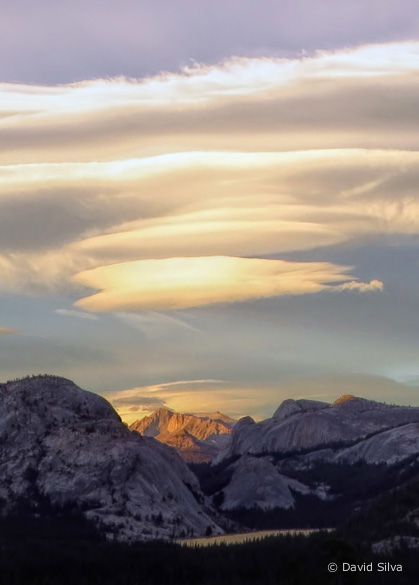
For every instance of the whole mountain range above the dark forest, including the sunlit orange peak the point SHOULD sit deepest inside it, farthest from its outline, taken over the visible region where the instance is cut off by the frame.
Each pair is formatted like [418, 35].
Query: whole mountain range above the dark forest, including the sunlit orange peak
[312, 463]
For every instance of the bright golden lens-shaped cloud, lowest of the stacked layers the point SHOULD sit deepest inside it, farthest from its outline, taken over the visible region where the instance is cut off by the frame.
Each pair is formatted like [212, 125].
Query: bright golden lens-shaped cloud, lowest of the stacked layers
[179, 283]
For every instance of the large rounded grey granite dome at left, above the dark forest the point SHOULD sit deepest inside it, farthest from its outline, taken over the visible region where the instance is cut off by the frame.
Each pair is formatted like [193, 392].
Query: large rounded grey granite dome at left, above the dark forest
[68, 445]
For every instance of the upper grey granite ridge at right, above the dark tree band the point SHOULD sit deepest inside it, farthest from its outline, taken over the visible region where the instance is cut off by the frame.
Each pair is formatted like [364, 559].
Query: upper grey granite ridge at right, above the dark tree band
[307, 424]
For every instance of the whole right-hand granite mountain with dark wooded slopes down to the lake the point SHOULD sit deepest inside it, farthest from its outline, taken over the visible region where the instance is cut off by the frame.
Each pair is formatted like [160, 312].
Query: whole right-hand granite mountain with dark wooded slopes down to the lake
[313, 462]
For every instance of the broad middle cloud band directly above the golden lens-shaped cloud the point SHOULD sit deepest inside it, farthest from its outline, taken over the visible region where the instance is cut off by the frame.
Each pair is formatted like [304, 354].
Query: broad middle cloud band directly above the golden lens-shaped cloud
[283, 201]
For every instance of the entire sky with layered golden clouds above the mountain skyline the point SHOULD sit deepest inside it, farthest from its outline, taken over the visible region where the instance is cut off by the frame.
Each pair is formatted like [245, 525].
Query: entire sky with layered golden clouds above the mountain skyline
[211, 206]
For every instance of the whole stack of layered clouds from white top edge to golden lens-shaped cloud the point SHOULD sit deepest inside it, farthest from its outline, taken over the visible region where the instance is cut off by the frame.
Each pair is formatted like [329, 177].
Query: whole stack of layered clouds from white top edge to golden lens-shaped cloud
[172, 191]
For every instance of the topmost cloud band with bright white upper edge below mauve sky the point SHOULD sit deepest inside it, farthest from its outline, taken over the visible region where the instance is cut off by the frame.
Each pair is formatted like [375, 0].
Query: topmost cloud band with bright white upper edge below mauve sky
[328, 100]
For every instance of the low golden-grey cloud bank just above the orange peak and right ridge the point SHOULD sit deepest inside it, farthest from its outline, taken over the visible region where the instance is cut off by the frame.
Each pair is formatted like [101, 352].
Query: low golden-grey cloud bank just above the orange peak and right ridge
[260, 400]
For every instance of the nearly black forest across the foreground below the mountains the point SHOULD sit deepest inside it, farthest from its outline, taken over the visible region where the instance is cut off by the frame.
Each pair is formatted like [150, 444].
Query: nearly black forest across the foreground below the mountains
[62, 548]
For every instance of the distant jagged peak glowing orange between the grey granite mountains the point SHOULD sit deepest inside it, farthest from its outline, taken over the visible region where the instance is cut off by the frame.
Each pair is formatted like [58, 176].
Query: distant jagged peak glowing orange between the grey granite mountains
[197, 438]
